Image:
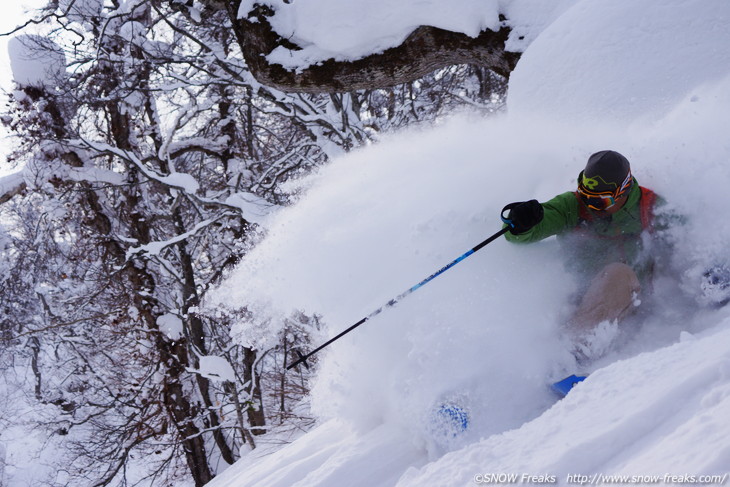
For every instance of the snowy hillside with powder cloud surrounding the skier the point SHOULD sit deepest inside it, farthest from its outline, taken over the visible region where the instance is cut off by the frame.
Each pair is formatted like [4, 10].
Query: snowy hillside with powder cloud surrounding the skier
[650, 79]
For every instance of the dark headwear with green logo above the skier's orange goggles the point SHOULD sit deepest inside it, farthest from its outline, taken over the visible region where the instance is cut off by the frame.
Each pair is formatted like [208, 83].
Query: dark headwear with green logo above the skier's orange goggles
[606, 172]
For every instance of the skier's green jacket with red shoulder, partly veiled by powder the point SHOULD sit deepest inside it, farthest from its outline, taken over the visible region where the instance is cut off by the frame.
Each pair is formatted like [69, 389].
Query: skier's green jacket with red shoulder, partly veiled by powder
[592, 245]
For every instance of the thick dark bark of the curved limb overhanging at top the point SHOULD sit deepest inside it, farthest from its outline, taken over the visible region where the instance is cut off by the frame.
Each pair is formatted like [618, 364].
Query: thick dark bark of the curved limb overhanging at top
[425, 50]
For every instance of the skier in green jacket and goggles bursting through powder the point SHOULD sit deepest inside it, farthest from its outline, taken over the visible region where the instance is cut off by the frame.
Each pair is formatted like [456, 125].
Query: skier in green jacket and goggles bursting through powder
[607, 225]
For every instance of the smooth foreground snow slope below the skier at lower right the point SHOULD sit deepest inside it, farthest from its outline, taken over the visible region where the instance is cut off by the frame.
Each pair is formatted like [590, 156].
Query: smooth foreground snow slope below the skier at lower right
[660, 413]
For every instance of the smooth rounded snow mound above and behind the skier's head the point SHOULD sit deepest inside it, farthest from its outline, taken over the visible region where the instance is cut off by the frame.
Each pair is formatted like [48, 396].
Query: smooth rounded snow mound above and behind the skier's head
[646, 55]
